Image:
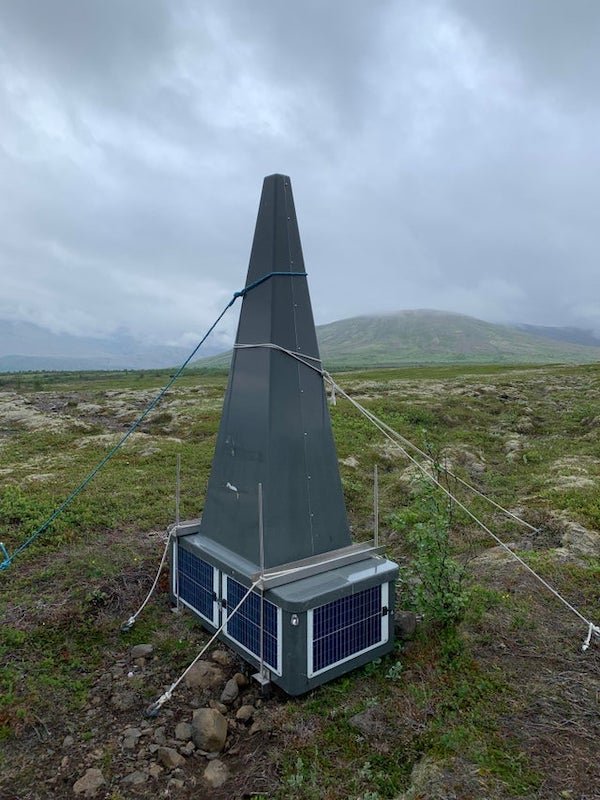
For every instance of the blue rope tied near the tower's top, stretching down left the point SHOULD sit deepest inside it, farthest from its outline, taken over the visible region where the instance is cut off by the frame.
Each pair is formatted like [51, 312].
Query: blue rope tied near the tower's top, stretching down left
[8, 558]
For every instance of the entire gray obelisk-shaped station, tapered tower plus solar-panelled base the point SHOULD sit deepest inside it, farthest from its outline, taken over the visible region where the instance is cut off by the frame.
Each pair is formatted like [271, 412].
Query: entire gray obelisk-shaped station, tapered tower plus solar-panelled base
[271, 566]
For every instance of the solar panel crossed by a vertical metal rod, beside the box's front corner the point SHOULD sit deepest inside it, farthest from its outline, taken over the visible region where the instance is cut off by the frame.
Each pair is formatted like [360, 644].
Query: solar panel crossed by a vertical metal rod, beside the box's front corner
[244, 625]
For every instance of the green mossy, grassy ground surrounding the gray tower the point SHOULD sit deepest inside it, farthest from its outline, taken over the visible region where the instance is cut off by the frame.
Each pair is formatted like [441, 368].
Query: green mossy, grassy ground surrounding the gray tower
[505, 706]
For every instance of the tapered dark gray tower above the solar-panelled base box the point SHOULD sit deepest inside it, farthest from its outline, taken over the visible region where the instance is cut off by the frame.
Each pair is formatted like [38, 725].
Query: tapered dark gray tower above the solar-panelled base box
[275, 427]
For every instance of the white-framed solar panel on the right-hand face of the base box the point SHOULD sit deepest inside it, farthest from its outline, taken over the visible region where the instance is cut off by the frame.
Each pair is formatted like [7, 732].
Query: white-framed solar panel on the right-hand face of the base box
[345, 628]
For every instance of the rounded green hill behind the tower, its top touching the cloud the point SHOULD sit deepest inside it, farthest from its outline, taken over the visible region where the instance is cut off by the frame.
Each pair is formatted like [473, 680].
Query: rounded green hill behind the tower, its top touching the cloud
[433, 337]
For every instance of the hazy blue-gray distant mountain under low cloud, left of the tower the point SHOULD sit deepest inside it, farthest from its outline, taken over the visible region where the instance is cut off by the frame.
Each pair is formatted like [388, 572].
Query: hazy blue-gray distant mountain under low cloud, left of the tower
[25, 346]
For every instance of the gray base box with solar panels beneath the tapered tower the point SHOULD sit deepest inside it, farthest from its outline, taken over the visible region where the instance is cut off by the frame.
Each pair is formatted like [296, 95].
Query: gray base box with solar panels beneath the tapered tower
[315, 628]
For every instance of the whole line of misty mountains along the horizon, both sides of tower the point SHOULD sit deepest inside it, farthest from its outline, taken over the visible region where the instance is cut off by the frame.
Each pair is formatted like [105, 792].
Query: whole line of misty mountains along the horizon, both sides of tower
[411, 336]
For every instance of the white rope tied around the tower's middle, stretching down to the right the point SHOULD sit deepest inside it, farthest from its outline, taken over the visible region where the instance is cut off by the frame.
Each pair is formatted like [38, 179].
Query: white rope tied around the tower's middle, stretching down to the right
[389, 433]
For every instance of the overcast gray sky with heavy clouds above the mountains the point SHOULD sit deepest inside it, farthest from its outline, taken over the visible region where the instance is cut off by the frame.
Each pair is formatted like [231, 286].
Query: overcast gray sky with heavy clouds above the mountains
[443, 154]
